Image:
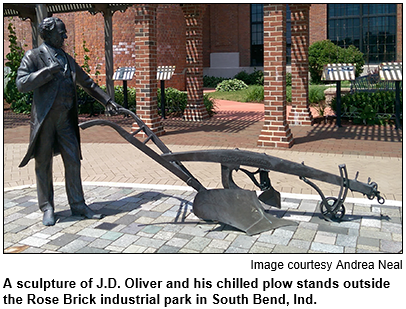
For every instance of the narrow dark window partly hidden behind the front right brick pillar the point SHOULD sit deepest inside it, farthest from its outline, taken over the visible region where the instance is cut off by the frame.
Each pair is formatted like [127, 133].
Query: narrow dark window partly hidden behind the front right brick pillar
[257, 35]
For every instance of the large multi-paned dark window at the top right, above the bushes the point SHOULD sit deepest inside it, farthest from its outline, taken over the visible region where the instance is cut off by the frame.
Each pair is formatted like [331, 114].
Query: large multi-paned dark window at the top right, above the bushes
[369, 27]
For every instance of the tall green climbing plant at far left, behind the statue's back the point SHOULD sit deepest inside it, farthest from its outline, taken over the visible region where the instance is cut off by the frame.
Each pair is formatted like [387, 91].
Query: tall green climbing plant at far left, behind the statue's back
[20, 102]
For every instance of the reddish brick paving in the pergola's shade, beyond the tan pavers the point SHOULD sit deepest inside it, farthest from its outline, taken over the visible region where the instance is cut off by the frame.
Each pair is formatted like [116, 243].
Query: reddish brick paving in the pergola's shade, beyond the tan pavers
[238, 126]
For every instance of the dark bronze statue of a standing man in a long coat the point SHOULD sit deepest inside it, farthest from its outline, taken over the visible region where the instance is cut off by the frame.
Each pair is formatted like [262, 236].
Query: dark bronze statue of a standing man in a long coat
[53, 75]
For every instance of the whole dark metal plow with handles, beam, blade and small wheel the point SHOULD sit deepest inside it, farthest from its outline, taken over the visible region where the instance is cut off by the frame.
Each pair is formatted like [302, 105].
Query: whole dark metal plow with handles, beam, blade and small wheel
[233, 205]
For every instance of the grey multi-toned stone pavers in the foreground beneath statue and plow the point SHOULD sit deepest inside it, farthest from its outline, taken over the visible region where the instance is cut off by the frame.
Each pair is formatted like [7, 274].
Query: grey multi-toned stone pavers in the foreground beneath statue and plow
[159, 220]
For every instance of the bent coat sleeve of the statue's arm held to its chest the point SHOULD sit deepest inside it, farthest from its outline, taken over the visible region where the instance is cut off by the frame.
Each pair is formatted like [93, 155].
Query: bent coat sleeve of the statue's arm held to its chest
[29, 77]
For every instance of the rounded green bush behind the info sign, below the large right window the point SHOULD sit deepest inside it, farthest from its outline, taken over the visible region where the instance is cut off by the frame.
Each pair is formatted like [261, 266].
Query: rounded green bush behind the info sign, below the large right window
[324, 52]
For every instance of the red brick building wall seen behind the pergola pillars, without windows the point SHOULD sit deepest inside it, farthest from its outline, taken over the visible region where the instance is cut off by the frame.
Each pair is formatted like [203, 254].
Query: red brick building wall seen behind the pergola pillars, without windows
[226, 37]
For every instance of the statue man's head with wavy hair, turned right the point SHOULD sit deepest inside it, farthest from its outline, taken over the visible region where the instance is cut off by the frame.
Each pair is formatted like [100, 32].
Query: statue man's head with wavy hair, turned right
[52, 30]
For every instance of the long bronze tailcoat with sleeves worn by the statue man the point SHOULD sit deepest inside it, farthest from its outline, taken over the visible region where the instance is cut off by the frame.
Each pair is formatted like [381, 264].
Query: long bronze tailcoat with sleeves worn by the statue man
[34, 75]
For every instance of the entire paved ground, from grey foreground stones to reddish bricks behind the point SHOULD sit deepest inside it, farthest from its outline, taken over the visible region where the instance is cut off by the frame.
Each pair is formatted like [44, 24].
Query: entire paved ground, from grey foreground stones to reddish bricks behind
[149, 210]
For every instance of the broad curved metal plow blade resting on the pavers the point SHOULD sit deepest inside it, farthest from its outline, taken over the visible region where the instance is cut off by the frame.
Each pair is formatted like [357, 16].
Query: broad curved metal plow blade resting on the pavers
[238, 208]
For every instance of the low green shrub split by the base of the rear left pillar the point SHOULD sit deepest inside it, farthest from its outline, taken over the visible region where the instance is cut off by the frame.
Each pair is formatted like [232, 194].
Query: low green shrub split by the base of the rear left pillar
[176, 102]
